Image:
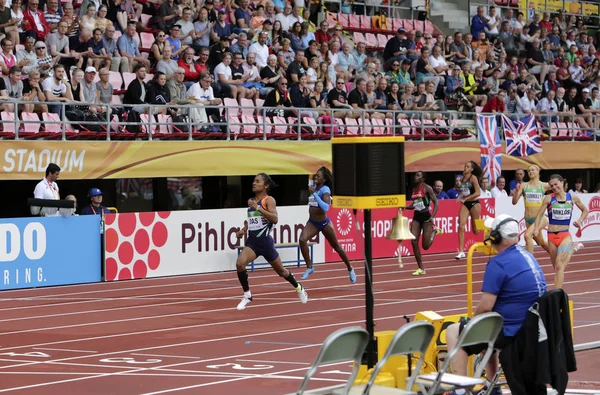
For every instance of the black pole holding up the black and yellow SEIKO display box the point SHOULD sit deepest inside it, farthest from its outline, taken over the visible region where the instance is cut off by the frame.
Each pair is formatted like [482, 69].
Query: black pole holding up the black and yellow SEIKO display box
[371, 346]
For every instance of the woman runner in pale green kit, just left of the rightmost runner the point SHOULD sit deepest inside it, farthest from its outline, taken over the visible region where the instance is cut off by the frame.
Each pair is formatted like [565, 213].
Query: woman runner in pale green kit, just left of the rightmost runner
[533, 194]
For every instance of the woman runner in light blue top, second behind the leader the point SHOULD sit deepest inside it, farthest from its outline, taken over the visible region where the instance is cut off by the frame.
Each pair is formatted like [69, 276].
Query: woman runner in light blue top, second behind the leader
[318, 221]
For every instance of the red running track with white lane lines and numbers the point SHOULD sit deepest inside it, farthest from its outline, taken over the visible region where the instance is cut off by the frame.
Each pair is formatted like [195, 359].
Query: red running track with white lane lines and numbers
[184, 335]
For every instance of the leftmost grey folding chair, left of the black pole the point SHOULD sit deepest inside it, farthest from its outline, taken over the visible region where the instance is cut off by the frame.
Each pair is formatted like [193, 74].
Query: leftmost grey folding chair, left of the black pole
[342, 345]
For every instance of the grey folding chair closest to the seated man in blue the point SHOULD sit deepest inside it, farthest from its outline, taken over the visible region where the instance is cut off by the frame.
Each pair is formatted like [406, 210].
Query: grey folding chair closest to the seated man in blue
[481, 329]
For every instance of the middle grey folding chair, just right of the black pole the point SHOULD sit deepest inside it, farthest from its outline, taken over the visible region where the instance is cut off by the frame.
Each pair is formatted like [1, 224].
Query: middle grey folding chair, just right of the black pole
[411, 338]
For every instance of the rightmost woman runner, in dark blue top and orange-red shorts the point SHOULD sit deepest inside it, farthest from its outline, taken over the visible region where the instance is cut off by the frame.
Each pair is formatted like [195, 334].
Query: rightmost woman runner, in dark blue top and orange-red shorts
[560, 210]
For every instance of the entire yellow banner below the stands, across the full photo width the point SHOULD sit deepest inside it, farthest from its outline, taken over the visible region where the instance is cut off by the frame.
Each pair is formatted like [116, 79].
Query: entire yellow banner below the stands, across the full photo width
[22, 160]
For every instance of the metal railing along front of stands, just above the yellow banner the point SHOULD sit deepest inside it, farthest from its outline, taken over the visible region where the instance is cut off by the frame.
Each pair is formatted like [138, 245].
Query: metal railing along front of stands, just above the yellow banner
[265, 123]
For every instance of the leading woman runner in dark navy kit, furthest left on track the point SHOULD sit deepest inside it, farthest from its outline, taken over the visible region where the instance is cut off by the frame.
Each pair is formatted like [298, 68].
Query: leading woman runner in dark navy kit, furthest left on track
[262, 215]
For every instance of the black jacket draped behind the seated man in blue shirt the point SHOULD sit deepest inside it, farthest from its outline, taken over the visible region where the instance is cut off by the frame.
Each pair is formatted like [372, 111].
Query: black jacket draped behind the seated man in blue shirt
[541, 354]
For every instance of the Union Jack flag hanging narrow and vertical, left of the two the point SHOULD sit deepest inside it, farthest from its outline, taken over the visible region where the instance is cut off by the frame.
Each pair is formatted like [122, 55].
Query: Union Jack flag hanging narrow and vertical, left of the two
[491, 147]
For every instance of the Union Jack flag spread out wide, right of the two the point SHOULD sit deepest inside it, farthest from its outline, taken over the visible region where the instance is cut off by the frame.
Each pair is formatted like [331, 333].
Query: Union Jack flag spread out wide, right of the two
[521, 136]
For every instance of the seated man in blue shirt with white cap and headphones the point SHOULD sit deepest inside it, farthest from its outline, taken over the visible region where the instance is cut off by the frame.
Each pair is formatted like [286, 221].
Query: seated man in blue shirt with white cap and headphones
[512, 283]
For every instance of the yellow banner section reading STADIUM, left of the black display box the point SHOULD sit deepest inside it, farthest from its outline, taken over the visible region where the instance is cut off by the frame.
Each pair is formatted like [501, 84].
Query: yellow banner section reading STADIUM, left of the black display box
[95, 159]
